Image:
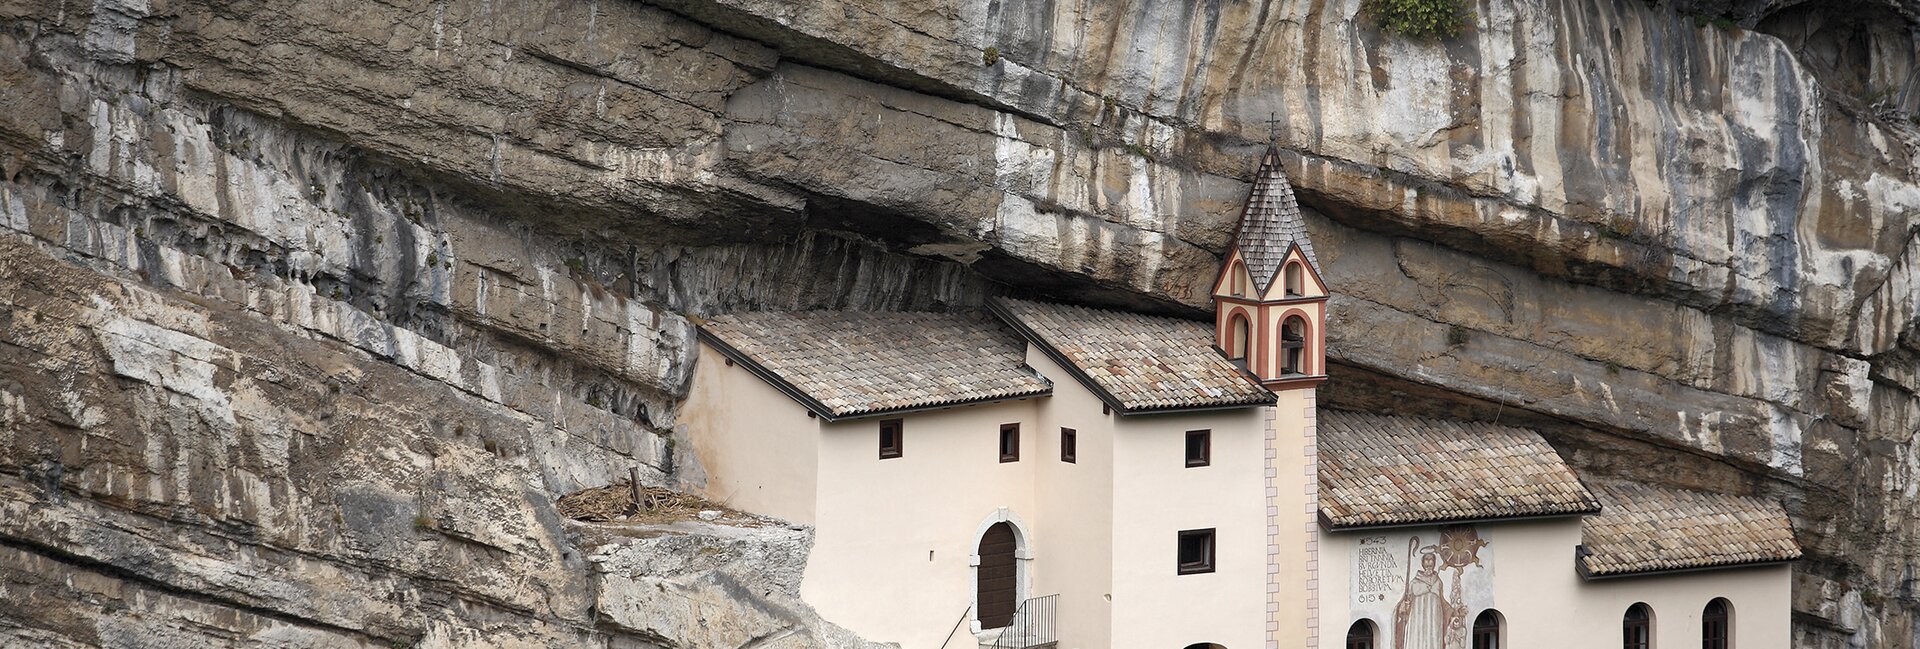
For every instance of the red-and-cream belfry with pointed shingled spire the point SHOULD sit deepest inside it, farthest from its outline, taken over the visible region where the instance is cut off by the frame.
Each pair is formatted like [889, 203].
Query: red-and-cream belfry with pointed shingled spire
[1270, 304]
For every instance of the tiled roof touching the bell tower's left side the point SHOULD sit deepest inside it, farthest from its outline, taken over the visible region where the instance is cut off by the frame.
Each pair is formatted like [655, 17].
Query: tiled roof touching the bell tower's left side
[1138, 362]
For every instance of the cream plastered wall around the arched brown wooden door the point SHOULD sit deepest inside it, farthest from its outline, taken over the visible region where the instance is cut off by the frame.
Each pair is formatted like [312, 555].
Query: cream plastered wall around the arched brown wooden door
[896, 539]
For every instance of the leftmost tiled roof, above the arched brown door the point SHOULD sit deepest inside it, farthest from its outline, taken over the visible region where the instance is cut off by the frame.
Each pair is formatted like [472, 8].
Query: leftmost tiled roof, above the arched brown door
[865, 364]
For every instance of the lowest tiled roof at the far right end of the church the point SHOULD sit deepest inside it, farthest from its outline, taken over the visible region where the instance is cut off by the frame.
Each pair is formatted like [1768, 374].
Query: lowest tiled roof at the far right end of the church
[1648, 529]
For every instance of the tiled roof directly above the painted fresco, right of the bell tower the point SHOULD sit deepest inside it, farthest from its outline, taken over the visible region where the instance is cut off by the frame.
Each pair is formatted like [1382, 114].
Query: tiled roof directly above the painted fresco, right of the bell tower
[1385, 469]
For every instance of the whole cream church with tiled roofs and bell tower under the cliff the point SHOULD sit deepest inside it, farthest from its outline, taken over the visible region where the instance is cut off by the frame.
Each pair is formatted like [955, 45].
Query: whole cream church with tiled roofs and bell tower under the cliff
[1045, 475]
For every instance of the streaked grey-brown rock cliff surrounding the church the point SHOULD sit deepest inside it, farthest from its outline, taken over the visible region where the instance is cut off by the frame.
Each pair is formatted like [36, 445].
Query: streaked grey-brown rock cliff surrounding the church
[310, 308]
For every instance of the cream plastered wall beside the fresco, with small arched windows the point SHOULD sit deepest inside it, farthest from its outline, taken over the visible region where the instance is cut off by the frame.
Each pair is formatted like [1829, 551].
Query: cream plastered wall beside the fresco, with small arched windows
[1547, 604]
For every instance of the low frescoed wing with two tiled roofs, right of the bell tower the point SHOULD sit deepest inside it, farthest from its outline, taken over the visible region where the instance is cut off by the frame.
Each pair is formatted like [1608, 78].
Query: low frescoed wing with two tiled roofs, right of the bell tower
[1474, 535]
